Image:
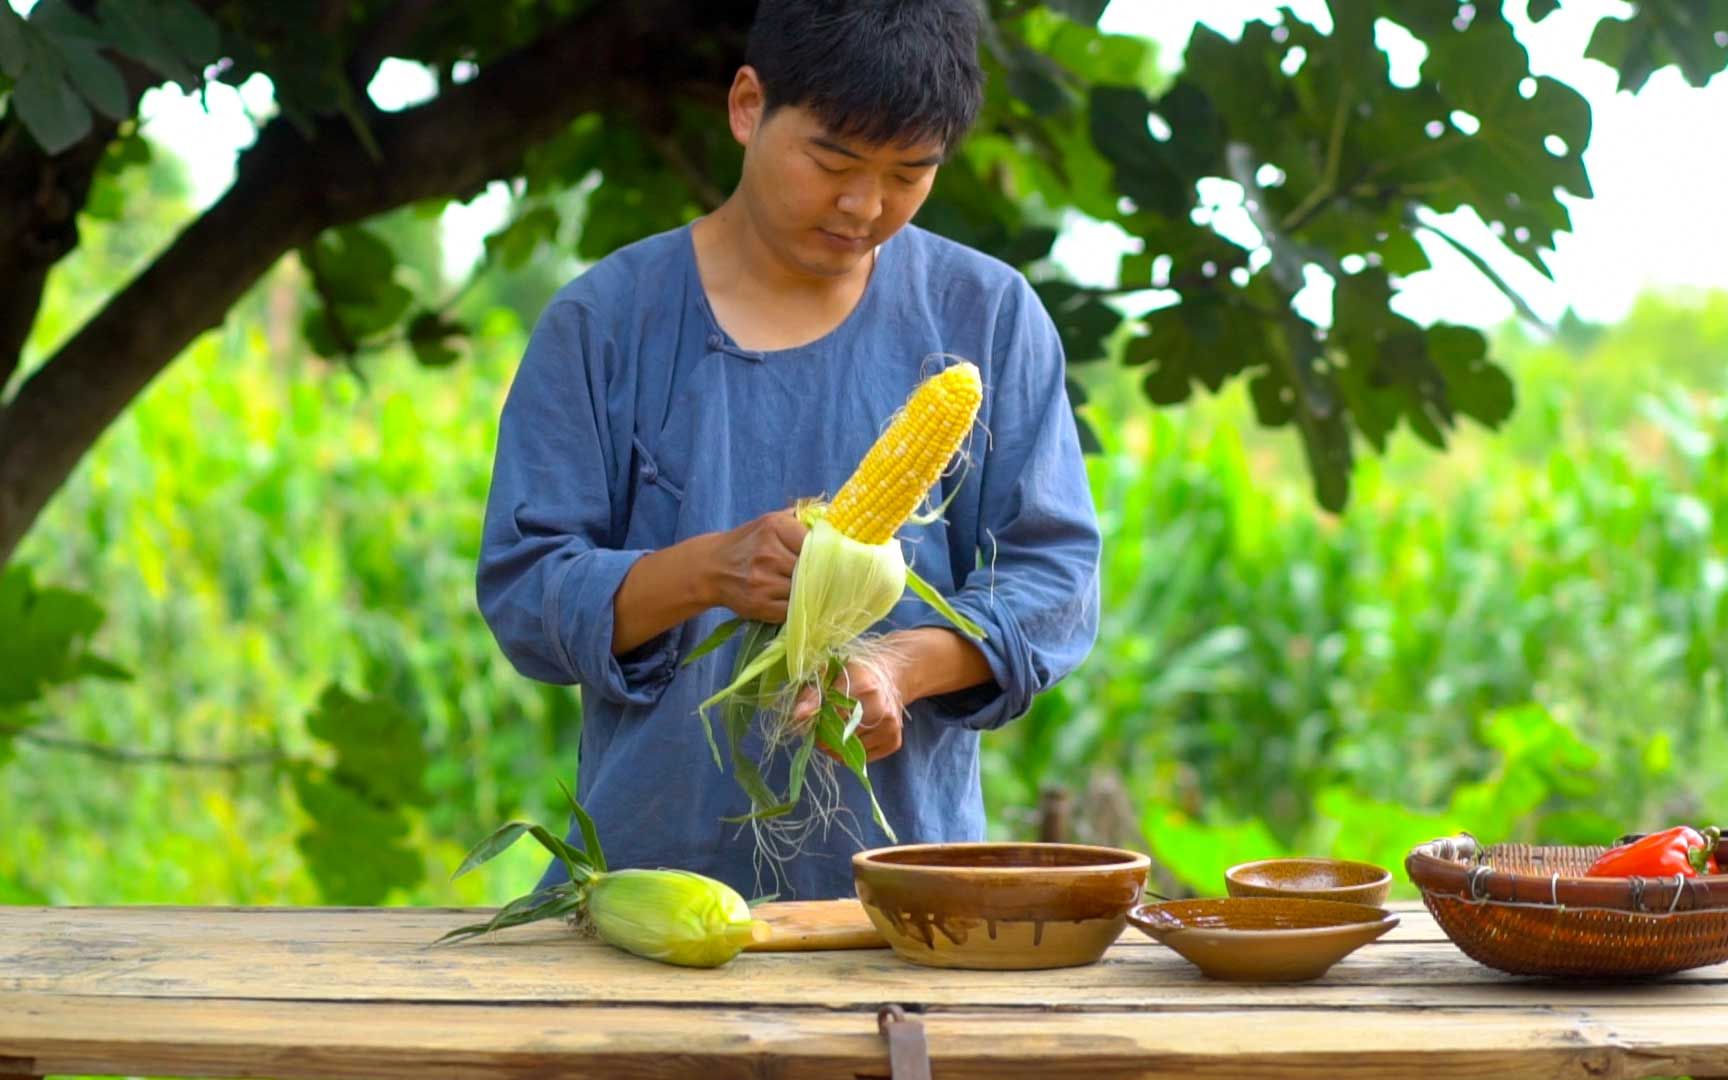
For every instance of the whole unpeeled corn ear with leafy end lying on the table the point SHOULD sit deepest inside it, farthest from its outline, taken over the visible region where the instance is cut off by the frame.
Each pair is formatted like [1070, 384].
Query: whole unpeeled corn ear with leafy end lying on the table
[664, 915]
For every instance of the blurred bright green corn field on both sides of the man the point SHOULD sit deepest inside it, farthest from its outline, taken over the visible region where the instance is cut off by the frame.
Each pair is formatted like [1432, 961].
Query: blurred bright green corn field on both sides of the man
[1523, 637]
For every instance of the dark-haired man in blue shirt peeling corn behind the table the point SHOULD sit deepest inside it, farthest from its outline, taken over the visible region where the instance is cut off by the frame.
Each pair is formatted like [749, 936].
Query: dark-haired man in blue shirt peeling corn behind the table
[683, 393]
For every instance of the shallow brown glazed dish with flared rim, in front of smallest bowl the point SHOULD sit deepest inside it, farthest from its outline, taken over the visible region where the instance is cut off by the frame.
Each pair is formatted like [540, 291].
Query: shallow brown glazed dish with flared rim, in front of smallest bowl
[1262, 939]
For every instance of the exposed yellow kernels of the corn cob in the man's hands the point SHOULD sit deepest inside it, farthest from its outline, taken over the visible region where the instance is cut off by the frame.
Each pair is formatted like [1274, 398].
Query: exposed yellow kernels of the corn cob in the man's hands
[910, 457]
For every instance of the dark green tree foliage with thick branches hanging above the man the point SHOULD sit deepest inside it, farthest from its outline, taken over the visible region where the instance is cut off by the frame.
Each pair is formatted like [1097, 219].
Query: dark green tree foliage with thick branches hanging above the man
[606, 118]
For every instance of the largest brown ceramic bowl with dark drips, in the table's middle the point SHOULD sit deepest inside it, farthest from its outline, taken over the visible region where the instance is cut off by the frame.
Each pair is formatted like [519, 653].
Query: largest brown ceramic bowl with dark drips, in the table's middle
[1003, 906]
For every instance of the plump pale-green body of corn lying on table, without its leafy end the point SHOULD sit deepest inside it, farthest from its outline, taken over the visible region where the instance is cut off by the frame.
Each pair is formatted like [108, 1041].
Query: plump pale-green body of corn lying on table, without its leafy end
[673, 917]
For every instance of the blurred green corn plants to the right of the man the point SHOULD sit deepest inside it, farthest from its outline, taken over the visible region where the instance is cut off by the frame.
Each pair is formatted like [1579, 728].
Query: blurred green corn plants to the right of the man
[1518, 642]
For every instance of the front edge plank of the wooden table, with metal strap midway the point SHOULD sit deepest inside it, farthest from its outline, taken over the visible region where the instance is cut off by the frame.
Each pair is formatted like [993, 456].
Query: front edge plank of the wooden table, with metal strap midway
[314, 1041]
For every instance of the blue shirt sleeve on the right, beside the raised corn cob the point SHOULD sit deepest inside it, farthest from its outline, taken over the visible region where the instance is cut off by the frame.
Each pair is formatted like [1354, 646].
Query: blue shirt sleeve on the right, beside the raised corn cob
[1036, 590]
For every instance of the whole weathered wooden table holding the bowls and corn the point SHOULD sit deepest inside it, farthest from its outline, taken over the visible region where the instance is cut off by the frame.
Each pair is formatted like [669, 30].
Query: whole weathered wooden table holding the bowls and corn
[353, 993]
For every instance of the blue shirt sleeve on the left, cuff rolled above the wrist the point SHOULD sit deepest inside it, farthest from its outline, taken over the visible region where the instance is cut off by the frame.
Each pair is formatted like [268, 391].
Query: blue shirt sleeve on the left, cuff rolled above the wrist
[550, 566]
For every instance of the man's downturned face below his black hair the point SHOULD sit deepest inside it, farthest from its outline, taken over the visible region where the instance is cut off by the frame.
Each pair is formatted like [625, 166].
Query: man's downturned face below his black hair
[823, 203]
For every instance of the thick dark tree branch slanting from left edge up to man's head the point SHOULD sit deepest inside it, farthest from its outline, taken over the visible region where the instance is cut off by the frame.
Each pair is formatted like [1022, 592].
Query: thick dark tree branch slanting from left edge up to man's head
[291, 189]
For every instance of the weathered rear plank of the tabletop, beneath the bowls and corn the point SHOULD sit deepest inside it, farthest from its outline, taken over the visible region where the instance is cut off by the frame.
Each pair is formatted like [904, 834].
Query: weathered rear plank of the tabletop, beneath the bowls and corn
[155, 955]
